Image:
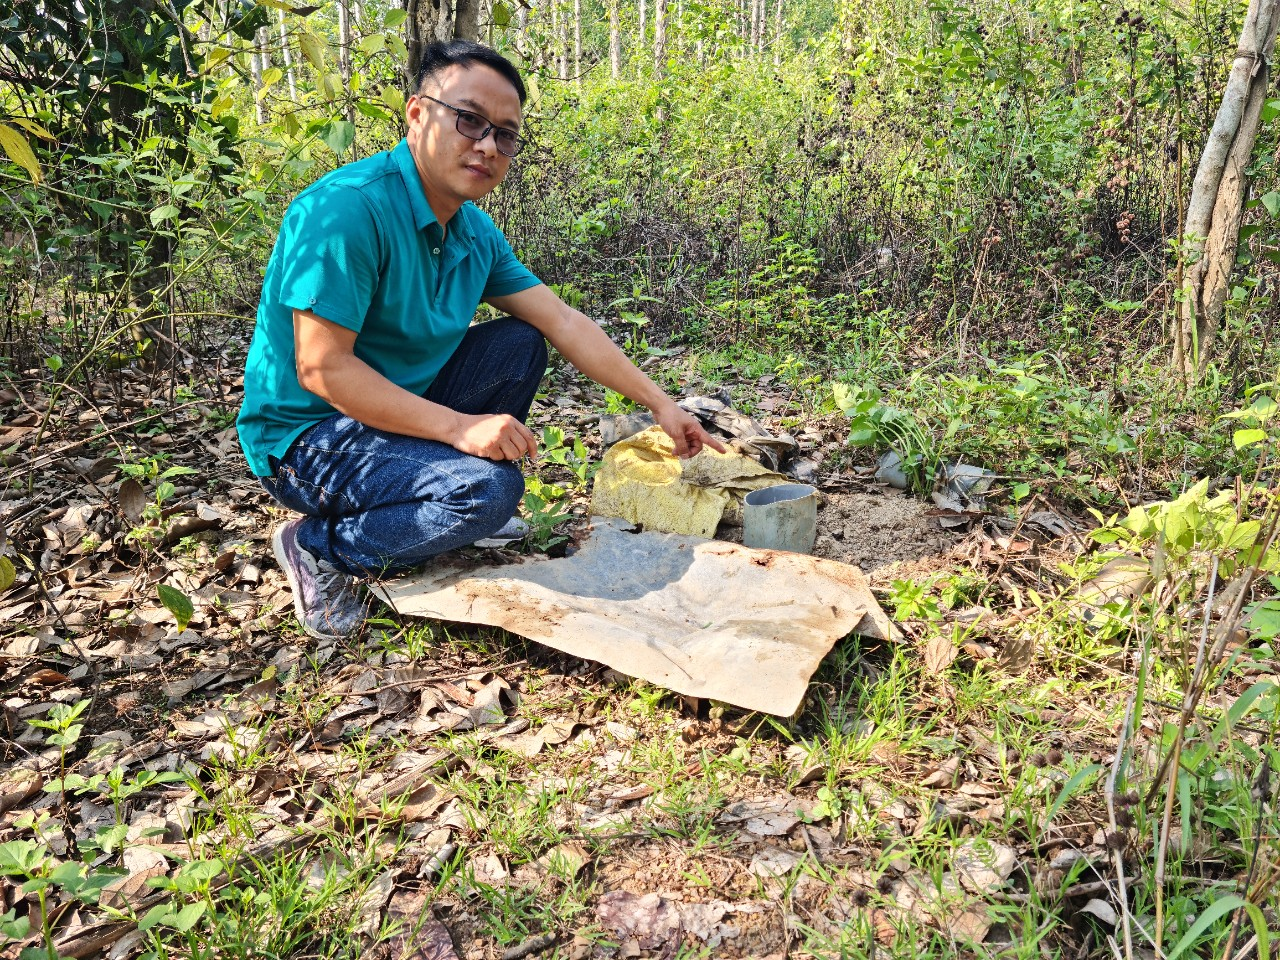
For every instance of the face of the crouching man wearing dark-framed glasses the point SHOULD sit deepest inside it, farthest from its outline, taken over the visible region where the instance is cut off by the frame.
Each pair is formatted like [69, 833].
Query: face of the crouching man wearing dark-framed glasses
[454, 168]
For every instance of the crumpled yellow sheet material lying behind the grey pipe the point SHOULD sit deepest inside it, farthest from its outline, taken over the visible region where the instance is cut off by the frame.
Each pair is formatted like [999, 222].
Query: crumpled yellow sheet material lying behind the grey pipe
[644, 482]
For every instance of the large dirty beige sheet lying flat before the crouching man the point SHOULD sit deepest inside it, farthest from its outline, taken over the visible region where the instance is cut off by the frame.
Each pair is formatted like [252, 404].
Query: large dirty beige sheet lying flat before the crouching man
[701, 618]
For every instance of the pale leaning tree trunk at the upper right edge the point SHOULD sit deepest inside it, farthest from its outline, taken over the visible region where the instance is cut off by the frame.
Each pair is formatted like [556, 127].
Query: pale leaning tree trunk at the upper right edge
[1219, 193]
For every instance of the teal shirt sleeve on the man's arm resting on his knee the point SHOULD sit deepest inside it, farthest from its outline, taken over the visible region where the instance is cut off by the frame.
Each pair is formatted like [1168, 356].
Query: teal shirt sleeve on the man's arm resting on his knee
[333, 246]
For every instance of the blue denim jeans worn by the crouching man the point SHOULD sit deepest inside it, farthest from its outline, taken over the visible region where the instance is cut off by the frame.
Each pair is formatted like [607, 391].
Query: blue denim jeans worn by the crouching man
[378, 502]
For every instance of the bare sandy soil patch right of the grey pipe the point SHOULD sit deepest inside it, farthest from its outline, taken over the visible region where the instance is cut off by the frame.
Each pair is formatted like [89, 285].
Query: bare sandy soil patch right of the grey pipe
[875, 531]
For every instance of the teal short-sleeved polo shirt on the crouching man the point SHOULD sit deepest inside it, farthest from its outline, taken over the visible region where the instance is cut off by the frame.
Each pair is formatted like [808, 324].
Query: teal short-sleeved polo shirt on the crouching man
[363, 249]
